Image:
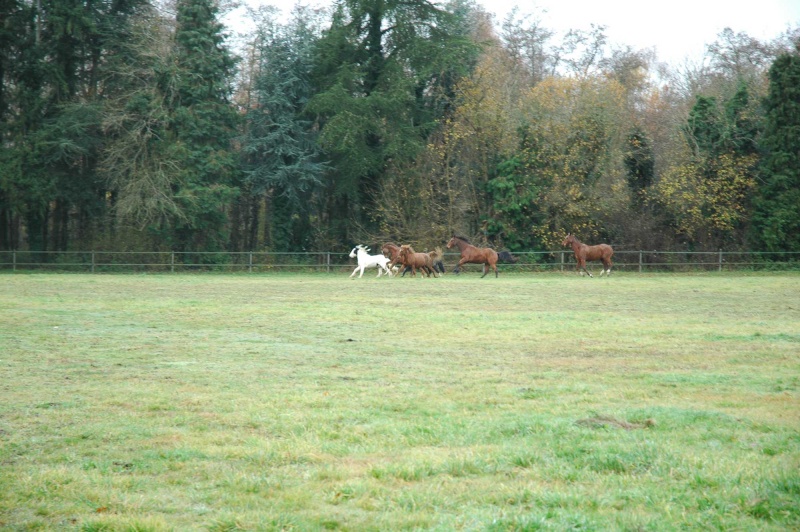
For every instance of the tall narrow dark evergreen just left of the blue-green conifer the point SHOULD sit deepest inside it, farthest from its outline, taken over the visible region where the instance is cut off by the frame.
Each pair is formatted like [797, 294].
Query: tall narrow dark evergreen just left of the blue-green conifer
[202, 126]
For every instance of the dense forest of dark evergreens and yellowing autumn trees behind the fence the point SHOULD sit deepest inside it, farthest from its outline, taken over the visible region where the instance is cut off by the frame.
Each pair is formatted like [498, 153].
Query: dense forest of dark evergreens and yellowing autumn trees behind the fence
[129, 125]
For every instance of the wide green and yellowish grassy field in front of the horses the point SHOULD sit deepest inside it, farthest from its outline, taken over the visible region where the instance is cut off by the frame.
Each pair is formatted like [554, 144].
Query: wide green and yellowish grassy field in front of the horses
[306, 402]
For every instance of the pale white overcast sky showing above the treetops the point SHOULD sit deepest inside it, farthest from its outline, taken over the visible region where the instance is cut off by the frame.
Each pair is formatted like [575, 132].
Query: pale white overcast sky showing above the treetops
[677, 29]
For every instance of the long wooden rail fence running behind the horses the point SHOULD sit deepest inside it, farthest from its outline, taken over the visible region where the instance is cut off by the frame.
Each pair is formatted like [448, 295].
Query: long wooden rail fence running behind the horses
[328, 262]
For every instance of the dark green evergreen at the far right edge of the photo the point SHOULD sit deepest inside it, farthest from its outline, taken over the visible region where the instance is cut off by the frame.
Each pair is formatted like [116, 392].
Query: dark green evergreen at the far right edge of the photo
[776, 220]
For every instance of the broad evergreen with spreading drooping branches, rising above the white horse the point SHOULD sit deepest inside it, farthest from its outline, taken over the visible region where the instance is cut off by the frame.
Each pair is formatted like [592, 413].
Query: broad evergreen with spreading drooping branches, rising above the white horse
[383, 70]
